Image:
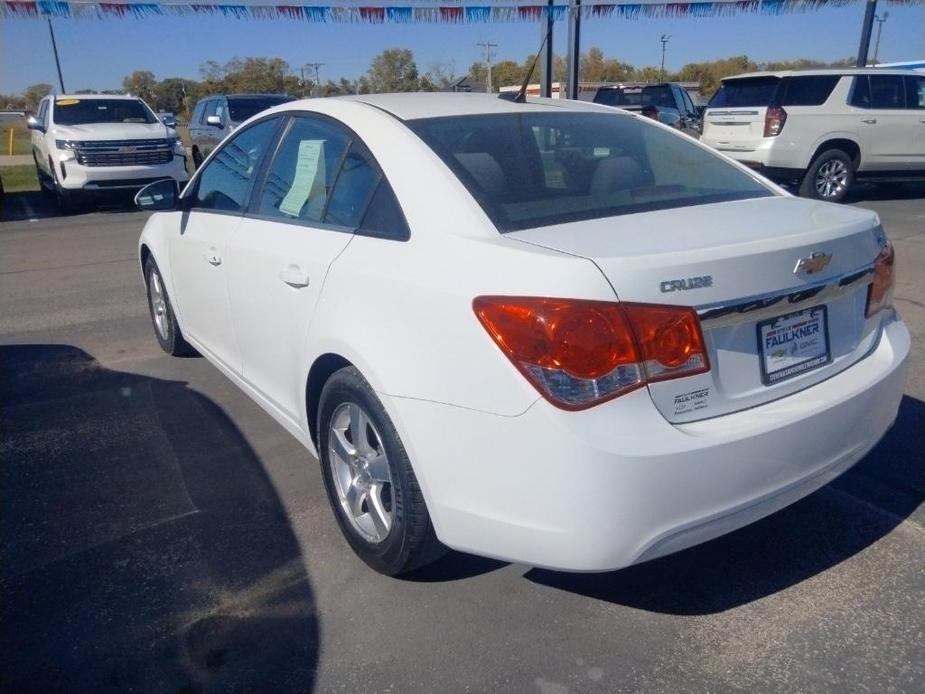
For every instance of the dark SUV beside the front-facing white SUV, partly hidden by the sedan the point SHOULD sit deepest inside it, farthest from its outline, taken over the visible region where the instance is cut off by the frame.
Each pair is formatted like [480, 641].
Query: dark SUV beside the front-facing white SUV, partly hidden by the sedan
[219, 114]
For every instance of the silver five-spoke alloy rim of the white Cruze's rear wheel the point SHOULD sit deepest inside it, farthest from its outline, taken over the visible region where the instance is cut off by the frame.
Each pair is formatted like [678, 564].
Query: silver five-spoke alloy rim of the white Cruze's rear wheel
[361, 472]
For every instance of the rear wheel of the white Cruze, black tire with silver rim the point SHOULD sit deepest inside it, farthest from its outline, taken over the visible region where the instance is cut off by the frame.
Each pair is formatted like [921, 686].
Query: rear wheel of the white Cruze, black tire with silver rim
[370, 483]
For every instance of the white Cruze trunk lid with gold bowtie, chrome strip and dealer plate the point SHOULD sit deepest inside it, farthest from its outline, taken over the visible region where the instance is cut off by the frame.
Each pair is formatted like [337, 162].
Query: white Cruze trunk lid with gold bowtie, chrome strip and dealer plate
[770, 329]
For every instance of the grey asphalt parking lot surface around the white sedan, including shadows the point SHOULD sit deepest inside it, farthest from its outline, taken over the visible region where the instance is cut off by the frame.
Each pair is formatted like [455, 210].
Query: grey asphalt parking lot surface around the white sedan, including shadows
[161, 533]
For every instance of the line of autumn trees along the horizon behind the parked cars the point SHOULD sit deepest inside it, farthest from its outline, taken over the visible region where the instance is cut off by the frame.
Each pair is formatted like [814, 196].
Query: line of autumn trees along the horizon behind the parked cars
[395, 70]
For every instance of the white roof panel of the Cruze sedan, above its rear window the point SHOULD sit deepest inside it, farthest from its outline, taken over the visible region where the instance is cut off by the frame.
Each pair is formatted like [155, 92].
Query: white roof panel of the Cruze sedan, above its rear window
[414, 105]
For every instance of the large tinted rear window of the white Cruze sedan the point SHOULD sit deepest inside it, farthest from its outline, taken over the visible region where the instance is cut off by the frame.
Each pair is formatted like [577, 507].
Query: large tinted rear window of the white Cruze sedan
[539, 168]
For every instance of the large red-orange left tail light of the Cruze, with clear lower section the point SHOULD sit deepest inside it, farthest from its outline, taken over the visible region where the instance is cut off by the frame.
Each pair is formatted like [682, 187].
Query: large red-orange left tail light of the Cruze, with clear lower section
[581, 353]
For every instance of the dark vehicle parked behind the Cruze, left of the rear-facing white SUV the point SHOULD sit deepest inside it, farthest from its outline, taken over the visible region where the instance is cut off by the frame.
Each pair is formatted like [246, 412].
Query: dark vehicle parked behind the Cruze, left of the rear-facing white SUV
[666, 102]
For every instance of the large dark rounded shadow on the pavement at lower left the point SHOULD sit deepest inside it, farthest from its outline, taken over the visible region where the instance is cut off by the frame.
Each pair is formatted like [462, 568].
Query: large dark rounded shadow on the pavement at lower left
[143, 547]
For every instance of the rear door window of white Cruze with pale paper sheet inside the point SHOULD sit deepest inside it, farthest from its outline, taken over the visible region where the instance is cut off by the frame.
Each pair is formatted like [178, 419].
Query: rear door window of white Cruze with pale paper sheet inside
[301, 177]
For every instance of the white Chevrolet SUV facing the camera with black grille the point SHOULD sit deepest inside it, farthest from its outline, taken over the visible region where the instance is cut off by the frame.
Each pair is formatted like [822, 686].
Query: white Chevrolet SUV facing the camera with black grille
[91, 142]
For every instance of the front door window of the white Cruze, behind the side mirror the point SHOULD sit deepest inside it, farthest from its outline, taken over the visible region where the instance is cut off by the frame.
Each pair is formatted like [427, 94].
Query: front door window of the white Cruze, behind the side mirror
[225, 181]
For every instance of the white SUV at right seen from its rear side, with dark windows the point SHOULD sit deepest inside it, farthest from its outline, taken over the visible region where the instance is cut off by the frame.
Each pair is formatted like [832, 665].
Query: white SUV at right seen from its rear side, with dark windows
[822, 129]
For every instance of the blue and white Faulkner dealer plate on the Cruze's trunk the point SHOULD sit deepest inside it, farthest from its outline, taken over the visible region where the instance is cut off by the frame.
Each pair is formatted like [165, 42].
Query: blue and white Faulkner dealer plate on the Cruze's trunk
[793, 344]
